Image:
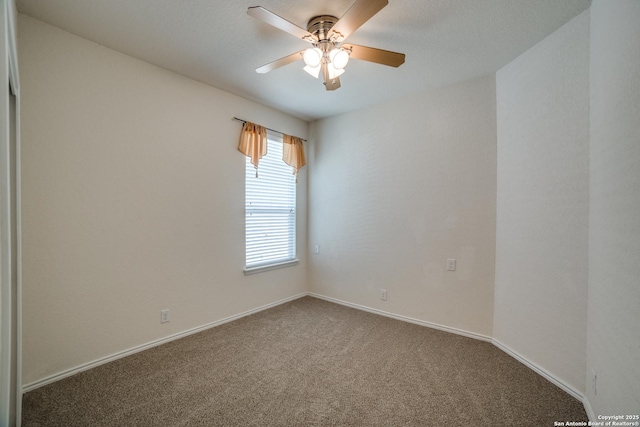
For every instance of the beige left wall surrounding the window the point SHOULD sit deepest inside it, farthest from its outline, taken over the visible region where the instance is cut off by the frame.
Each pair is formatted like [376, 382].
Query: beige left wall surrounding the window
[132, 201]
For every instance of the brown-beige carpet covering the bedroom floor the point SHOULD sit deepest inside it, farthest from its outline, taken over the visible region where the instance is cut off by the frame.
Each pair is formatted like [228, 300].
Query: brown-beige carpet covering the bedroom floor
[308, 363]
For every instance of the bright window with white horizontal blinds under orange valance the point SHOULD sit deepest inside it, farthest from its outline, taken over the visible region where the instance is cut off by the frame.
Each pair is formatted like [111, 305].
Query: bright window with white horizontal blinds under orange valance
[270, 211]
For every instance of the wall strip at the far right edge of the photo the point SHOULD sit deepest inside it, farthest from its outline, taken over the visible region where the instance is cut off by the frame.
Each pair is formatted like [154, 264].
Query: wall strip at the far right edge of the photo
[613, 333]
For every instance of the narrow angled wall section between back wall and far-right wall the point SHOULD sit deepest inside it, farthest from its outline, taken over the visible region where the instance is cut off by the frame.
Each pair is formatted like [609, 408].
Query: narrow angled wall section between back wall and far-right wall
[543, 203]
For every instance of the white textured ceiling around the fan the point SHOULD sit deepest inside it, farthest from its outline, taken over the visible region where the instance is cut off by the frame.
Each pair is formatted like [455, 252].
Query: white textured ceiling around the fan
[216, 42]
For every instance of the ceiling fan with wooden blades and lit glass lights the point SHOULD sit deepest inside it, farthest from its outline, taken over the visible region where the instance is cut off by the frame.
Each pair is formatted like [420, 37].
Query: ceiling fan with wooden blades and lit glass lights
[327, 33]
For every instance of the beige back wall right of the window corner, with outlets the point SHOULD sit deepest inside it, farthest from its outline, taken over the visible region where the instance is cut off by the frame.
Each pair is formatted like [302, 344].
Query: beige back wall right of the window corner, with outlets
[399, 188]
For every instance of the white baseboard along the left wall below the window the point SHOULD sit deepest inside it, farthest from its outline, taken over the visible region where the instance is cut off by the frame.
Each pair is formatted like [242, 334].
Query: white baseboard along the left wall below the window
[119, 355]
